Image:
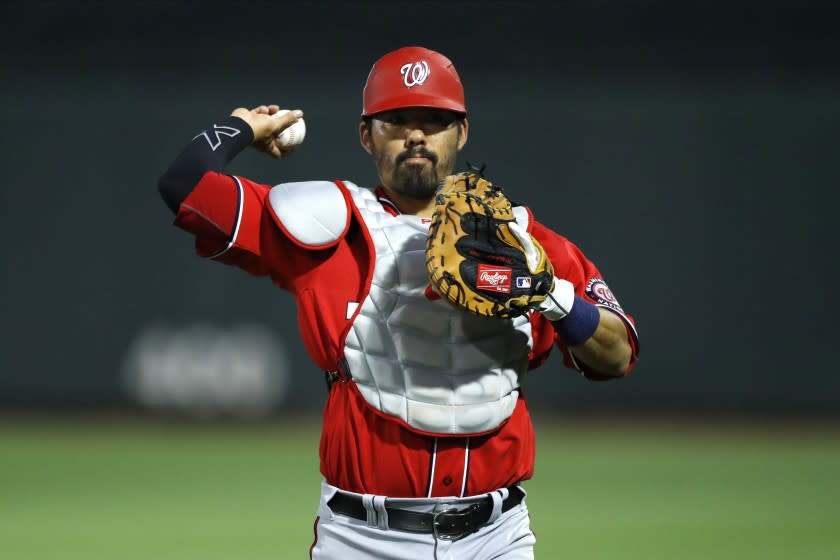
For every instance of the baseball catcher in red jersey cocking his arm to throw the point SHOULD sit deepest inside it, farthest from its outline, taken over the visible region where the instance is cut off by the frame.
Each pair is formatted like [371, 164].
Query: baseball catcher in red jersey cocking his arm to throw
[426, 432]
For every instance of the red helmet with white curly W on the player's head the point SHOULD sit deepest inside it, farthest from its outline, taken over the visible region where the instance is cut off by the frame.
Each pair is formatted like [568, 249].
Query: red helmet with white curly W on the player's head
[413, 77]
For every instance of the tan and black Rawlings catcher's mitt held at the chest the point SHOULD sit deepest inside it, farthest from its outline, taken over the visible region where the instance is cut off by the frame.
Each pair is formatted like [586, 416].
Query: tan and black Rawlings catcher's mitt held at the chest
[478, 257]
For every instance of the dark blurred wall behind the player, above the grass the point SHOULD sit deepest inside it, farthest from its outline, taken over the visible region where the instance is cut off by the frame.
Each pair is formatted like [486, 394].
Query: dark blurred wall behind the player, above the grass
[689, 150]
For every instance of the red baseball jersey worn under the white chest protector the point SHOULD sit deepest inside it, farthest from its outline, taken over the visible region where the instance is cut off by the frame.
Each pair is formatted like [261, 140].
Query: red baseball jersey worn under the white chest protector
[362, 449]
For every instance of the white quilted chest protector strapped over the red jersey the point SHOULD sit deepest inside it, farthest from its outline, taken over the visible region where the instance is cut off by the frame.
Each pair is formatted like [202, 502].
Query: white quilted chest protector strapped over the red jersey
[438, 369]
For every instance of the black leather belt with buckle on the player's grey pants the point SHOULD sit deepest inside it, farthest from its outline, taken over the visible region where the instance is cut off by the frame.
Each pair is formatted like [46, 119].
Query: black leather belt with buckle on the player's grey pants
[450, 524]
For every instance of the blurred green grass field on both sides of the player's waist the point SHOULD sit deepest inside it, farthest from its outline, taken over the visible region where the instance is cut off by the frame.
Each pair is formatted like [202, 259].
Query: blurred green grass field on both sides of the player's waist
[129, 490]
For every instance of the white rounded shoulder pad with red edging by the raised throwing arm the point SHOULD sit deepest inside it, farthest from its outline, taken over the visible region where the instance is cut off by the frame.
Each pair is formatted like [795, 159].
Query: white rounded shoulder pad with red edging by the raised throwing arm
[314, 214]
